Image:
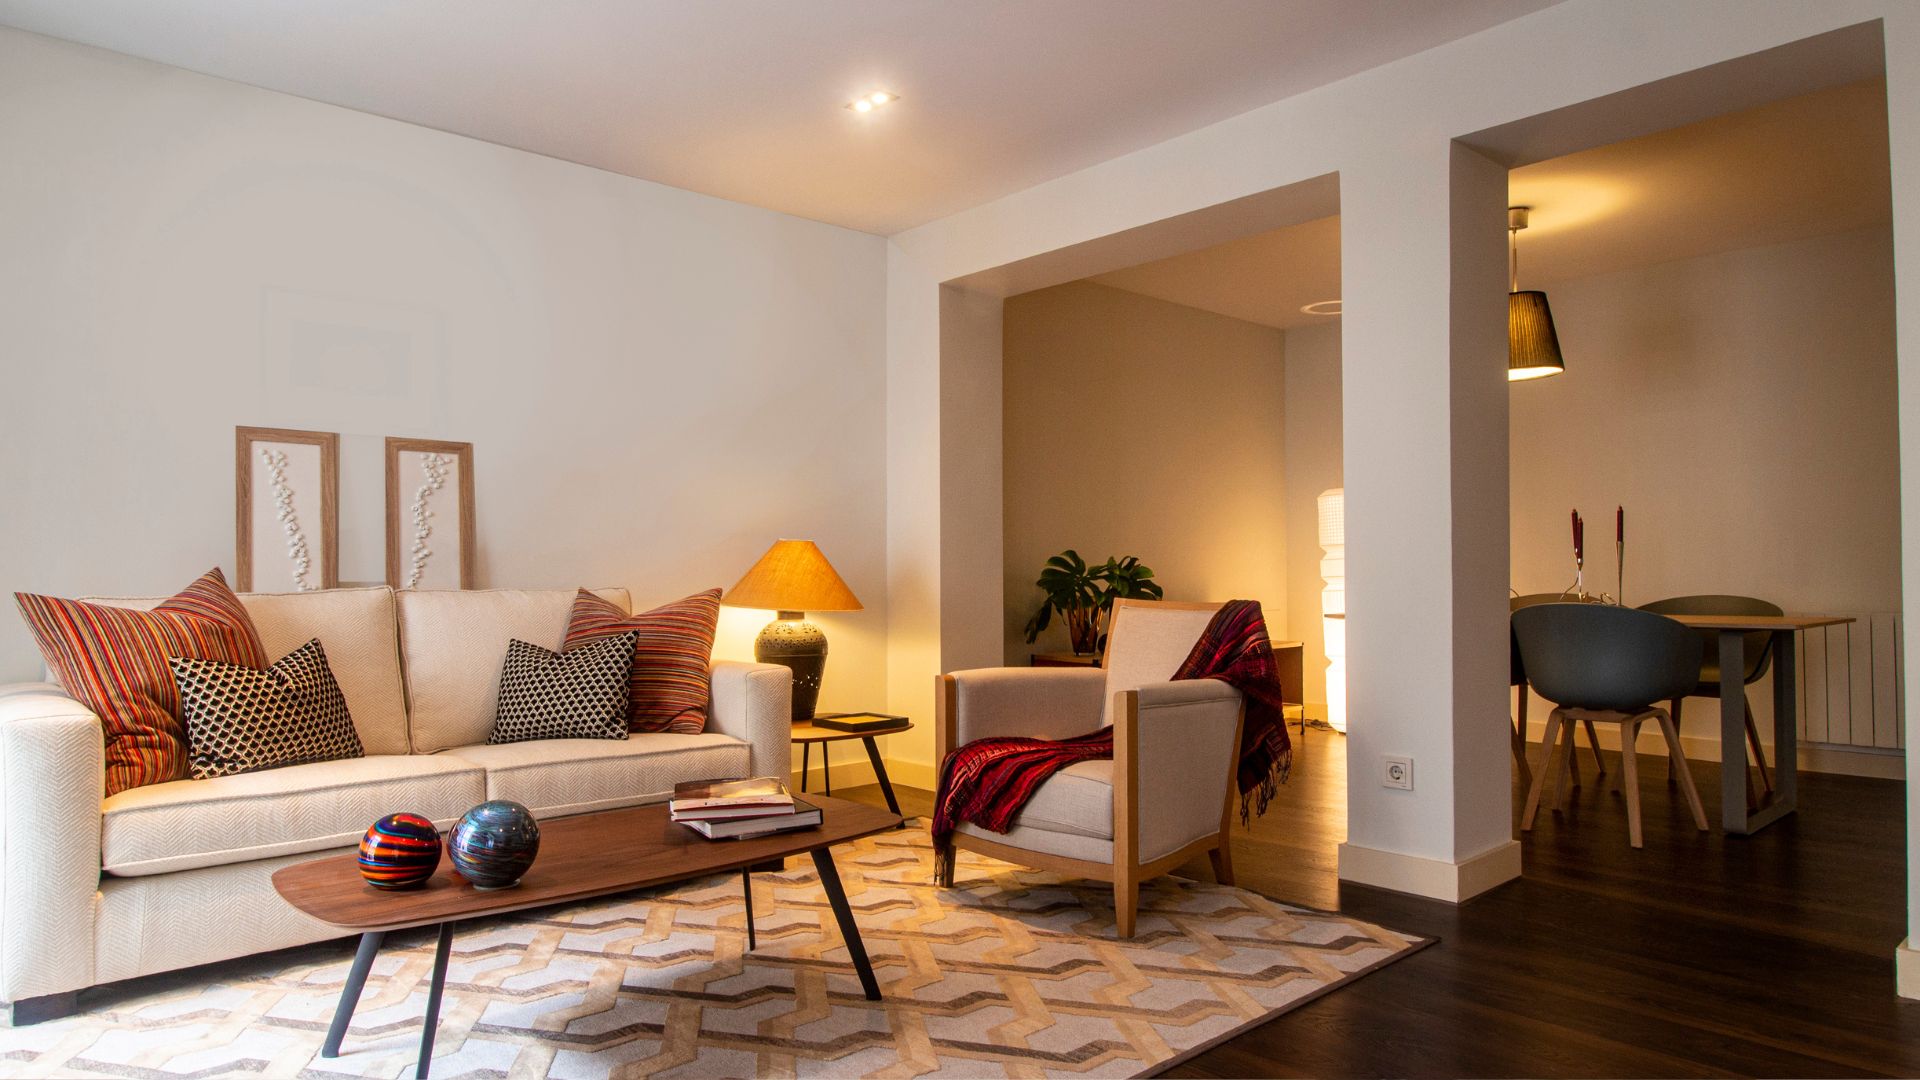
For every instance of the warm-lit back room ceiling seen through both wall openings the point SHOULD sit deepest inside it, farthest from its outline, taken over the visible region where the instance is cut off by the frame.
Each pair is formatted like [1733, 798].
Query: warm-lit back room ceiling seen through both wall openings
[1798, 168]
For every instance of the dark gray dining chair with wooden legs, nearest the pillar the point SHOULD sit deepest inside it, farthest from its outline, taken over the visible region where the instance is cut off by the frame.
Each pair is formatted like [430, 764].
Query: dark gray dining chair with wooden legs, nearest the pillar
[1608, 666]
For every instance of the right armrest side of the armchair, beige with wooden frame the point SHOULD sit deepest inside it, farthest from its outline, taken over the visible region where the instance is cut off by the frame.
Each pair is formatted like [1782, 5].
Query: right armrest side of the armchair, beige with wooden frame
[1184, 758]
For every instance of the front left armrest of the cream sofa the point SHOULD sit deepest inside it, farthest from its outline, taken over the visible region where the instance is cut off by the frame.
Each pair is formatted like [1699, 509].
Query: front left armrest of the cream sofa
[53, 772]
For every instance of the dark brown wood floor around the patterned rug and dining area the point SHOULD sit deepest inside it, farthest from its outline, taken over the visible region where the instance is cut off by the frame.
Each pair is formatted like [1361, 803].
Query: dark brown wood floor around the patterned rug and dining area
[1698, 956]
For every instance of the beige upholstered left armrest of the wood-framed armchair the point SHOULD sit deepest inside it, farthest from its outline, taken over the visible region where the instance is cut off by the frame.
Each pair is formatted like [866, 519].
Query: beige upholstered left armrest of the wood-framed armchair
[1028, 702]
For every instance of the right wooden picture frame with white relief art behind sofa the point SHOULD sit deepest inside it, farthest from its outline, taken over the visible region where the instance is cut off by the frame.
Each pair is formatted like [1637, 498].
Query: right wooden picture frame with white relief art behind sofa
[410, 483]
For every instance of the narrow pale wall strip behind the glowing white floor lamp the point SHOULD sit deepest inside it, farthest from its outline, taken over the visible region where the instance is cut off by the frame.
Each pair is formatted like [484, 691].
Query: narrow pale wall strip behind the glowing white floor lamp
[1312, 468]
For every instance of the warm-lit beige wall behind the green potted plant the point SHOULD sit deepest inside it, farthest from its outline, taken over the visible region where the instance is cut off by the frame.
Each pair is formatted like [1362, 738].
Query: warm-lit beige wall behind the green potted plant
[1111, 395]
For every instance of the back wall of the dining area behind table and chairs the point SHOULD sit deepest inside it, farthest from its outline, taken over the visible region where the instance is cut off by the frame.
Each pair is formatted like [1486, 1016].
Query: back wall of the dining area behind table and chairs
[1742, 408]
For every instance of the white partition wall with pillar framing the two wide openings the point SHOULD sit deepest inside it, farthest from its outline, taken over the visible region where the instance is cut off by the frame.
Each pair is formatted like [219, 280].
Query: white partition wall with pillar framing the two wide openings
[1385, 134]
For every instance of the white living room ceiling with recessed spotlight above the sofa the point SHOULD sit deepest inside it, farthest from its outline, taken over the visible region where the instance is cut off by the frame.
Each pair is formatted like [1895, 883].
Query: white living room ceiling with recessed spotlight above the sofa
[744, 99]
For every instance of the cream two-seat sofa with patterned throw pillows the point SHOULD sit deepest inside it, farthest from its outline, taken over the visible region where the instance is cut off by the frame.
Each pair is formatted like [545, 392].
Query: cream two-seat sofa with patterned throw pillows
[174, 875]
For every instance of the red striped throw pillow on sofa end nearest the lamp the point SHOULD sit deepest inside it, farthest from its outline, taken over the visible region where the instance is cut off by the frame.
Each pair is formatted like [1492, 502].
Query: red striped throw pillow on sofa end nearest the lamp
[669, 683]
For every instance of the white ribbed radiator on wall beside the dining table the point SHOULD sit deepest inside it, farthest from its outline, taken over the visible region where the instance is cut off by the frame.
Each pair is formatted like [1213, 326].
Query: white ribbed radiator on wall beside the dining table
[1852, 689]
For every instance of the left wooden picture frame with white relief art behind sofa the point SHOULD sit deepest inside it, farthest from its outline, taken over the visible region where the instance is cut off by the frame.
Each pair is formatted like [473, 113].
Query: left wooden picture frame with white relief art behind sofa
[308, 483]
